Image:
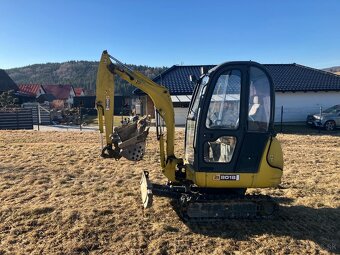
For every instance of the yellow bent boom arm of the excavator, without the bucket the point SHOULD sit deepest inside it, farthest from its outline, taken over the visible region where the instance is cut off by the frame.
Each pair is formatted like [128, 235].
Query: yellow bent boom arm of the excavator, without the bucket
[158, 94]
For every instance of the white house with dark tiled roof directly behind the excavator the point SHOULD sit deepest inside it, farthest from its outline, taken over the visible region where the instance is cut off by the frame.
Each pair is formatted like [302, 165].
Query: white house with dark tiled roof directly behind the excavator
[299, 89]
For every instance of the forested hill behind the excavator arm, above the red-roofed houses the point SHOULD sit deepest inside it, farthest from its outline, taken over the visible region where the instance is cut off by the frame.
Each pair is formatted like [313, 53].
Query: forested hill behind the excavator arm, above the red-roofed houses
[77, 73]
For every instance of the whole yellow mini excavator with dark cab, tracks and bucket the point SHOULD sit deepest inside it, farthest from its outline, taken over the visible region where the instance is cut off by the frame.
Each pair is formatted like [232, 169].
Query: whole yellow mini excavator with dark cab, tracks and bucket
[230, 142]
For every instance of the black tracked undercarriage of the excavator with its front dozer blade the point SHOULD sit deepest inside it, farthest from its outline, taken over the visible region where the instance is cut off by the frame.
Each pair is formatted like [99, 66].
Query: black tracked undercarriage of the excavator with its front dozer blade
[195, 204]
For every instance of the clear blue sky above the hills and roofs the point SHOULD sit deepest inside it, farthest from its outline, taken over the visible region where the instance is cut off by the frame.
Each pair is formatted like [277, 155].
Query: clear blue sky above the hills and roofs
[164, 33]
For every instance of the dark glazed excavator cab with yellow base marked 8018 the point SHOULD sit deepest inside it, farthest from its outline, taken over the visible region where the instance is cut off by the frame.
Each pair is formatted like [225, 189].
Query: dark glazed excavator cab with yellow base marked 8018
[230, 125]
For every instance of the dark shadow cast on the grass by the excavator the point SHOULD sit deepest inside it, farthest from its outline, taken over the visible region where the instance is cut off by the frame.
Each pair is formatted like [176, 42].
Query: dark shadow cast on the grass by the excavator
[299, 222]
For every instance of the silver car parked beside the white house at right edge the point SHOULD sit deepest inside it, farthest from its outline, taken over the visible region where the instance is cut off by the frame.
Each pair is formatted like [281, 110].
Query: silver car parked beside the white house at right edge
[329, 118]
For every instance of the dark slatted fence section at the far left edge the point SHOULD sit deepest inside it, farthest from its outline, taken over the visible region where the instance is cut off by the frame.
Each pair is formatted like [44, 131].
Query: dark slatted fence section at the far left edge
[16, 118]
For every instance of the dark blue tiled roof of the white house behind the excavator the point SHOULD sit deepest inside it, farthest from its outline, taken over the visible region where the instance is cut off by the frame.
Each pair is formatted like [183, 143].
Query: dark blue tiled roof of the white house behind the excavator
[286, 77]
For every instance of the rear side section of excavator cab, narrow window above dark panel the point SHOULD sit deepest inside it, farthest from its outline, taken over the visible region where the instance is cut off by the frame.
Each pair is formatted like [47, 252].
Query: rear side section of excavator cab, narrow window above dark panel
[258, 126]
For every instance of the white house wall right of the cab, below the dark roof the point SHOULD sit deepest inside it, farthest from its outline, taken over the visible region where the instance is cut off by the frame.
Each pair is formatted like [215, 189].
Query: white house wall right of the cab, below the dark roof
[296, 106]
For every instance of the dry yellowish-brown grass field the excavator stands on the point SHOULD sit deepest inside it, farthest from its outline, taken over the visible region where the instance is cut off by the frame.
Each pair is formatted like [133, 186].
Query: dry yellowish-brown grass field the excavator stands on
[57, 196]
